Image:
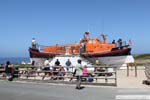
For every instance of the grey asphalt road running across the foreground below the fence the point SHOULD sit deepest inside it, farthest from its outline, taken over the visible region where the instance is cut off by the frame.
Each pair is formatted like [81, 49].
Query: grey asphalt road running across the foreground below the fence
[42, 91]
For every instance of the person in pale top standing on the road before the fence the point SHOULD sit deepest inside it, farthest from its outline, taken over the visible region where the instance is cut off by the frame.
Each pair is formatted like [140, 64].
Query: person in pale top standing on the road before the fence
[78, 73]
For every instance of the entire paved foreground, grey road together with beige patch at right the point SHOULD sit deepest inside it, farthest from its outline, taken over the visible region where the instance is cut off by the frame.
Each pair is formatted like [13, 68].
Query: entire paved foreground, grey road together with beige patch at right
[128, 88]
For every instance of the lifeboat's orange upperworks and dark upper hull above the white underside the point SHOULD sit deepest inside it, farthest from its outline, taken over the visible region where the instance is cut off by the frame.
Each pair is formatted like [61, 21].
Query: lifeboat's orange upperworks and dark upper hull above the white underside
[87, 47]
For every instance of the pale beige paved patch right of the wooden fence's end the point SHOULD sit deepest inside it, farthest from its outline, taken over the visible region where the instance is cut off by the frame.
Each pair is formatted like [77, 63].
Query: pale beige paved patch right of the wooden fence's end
[131, 81]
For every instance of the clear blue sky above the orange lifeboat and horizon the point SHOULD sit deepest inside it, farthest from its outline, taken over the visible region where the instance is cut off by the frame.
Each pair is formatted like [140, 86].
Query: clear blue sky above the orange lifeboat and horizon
[65, 21]
